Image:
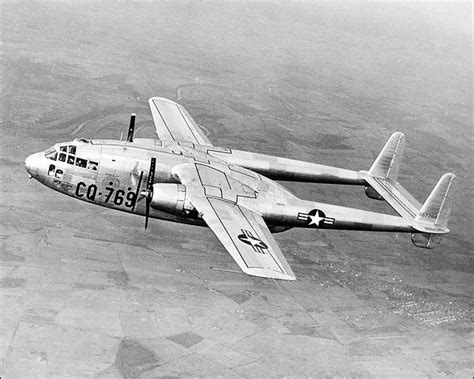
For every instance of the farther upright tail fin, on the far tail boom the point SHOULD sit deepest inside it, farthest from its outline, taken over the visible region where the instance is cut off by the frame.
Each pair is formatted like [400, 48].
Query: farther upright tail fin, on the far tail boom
[387, 164]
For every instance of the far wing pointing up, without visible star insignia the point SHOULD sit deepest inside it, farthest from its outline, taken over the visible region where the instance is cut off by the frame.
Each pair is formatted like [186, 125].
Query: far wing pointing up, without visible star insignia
[173, 122]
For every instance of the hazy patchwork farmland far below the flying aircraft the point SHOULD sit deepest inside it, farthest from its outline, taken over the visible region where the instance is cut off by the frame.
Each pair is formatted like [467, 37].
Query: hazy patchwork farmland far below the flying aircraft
[86, 292]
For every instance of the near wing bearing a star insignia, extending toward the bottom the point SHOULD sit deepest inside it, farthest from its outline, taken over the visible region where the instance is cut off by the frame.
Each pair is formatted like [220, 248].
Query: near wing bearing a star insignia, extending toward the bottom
[240, 230]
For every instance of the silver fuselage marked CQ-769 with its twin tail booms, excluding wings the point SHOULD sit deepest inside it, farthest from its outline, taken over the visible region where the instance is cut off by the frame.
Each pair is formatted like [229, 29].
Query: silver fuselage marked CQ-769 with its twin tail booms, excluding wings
[113, 174]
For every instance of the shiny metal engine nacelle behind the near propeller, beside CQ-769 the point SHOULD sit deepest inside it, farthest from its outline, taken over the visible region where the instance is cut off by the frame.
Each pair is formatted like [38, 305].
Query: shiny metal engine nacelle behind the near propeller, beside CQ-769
[171, 198]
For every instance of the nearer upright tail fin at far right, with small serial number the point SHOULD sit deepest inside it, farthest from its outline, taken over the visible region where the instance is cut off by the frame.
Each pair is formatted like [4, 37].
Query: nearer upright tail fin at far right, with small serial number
[437, 207]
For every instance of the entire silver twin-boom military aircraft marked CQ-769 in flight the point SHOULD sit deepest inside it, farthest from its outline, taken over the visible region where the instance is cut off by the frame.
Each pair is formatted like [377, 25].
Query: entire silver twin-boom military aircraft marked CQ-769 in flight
[182, 177]
